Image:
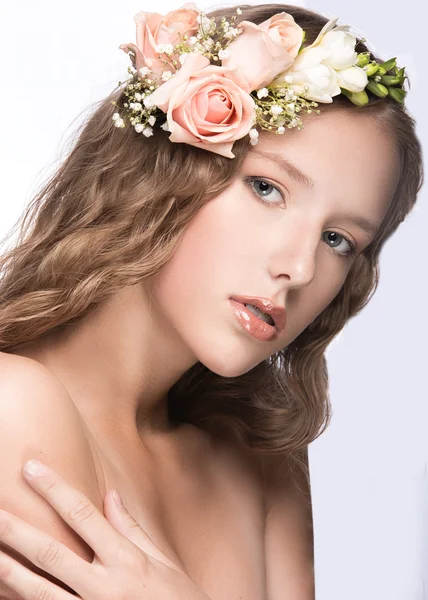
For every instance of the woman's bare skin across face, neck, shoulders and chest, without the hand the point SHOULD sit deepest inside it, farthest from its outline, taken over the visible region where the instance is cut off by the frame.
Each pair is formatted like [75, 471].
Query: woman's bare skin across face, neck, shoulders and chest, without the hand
[92, 401]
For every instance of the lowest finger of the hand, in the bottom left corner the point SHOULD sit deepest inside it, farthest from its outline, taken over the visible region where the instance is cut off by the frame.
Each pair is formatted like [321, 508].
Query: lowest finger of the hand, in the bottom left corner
[29, 585]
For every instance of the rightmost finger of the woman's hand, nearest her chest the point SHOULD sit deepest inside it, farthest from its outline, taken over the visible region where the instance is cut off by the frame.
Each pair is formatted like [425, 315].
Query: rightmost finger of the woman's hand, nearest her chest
[125, 524]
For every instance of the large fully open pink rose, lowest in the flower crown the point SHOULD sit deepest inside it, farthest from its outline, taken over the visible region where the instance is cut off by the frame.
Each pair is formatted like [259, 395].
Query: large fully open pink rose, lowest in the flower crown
[206, 104]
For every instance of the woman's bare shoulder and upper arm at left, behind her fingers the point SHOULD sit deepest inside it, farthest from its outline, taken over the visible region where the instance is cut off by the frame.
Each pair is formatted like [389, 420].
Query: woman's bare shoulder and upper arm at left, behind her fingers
[39, 420]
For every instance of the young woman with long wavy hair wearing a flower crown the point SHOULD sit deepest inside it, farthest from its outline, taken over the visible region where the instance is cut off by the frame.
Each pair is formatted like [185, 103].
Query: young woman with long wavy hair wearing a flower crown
[132, 335]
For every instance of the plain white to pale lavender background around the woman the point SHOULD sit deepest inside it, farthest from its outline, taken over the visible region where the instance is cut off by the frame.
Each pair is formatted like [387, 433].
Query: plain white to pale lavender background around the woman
[369, 470]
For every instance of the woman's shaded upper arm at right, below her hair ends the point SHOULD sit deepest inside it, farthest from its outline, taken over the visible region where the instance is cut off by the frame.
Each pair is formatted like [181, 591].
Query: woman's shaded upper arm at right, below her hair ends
[289, 531]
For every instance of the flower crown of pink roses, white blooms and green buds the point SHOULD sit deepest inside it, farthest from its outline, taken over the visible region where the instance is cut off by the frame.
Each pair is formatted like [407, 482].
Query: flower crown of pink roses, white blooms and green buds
[210, 83]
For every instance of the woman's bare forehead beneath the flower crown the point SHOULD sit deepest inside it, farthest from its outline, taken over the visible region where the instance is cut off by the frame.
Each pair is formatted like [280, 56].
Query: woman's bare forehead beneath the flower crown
[345, 154]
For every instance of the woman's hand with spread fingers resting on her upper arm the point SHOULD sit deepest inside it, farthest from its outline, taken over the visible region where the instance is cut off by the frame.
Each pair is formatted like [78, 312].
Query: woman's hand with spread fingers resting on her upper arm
[127, 564]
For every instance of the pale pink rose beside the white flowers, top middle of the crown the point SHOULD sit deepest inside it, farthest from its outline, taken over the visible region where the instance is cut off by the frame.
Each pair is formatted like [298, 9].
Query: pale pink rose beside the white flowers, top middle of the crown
[263, 51]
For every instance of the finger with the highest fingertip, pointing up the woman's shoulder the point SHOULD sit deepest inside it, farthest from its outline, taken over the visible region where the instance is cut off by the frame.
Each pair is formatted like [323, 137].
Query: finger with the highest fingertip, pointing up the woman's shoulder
[76, 510]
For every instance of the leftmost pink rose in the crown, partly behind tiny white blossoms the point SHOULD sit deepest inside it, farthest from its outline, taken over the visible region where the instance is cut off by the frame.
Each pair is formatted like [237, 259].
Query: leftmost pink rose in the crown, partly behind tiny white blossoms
[154, 29]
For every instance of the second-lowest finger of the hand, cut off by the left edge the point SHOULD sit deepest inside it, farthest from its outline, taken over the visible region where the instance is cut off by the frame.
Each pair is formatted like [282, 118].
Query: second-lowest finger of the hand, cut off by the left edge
[45, 552]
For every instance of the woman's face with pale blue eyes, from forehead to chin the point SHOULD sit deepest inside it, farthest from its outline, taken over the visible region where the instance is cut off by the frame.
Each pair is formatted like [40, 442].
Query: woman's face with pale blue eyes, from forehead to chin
[269, 234]
